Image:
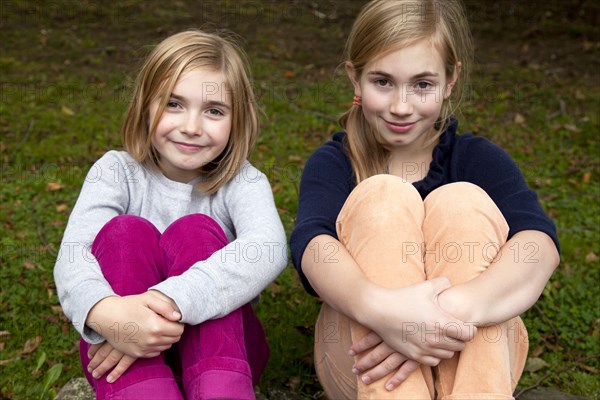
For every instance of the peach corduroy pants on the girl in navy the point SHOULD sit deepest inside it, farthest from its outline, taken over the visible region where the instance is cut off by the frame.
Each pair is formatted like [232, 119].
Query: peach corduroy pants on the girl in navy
[398, 240]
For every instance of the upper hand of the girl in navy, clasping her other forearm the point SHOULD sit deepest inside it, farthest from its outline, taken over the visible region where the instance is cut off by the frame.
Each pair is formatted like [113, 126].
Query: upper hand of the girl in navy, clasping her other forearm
[413, 324]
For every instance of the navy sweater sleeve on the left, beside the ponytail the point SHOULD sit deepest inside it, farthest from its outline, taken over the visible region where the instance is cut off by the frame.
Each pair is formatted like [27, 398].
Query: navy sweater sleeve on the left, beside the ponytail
[326, 183]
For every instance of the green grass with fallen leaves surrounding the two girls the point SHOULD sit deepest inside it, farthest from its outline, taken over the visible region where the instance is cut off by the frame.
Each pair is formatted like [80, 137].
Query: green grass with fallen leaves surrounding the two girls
[66, 72]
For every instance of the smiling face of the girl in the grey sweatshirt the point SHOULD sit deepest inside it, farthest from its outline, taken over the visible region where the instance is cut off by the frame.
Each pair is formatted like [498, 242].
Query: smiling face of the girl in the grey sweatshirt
[195, 125]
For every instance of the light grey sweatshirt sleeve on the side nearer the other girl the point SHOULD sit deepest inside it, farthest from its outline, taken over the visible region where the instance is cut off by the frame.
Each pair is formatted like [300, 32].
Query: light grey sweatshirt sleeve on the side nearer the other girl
[236, 274]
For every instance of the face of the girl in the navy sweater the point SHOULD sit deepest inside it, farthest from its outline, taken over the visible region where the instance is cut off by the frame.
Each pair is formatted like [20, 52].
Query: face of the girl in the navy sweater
[402, 94]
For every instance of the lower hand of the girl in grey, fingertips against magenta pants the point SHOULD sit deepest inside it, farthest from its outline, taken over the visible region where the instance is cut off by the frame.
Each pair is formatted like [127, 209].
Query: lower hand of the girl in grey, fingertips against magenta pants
[104, 357]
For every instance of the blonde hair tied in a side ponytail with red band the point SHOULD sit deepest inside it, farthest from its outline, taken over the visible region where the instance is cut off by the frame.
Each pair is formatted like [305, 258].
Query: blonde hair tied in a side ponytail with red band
[383, 26]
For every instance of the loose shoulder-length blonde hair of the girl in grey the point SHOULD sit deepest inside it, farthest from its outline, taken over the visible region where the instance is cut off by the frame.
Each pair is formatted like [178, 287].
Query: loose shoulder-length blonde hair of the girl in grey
[175, 55]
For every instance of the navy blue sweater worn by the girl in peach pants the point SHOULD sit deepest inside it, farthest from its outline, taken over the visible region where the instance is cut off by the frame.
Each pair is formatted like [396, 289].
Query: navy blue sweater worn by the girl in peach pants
[328, 179]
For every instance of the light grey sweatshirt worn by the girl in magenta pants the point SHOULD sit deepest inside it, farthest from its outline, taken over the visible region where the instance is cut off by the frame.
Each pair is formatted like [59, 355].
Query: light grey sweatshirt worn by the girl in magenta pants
[233, 276]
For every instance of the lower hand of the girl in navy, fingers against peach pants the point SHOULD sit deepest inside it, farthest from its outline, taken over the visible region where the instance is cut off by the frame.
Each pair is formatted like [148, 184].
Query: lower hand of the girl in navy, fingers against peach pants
[377, 360]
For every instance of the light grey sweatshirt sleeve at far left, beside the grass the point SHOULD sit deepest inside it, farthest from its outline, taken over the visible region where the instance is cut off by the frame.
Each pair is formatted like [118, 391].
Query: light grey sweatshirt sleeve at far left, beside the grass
[79, 280]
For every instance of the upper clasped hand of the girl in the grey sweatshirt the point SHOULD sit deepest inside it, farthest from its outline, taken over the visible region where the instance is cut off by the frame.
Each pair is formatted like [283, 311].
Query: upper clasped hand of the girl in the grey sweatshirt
[141, 325]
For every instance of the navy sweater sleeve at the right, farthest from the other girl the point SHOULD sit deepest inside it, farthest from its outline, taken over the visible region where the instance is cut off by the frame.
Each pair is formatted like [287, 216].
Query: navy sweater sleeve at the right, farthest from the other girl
[490, 167]
